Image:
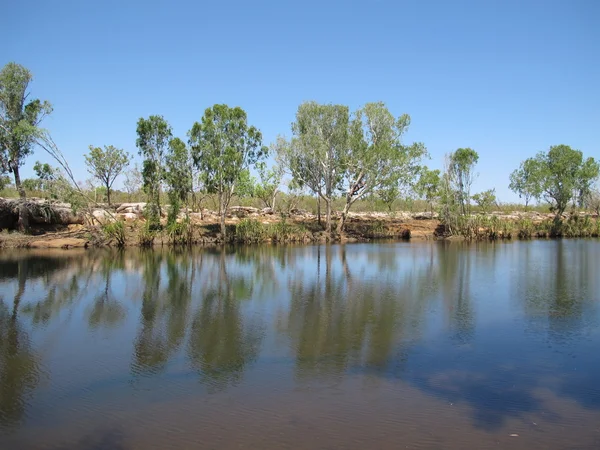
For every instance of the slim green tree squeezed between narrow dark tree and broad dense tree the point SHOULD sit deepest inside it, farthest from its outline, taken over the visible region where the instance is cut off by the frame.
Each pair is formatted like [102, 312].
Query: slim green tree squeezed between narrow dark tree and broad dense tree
[178, 175]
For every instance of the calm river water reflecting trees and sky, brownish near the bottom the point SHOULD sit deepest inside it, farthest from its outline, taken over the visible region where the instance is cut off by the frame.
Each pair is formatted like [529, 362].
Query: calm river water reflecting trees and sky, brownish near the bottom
[392, 345]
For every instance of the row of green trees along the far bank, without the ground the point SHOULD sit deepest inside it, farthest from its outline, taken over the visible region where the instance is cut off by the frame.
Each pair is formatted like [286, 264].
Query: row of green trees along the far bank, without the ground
[332, 153]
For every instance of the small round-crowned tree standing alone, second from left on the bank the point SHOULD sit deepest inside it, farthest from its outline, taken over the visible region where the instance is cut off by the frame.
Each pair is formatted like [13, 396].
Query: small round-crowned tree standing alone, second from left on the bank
[106, 165]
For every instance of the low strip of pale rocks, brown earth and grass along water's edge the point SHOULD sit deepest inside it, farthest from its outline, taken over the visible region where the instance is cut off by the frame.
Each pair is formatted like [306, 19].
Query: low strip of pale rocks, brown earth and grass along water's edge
[54, 225]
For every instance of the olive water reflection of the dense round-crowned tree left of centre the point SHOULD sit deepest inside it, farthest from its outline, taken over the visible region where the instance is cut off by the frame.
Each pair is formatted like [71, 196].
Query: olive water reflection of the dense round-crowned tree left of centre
[222, 342]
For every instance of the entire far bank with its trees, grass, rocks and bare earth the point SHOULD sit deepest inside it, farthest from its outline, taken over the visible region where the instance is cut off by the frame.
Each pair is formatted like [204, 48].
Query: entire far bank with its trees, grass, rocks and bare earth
[340, 176]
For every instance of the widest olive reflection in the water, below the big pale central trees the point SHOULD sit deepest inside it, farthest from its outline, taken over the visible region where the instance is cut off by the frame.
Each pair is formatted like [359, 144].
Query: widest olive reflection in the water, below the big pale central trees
[338, 322]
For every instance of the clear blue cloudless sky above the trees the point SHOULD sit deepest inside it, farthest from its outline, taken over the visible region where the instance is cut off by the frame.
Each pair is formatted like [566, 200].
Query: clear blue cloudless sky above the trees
[506, 77]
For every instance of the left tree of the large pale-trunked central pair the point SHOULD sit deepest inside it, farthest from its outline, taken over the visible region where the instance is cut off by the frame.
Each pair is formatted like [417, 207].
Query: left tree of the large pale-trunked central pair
[316, 154]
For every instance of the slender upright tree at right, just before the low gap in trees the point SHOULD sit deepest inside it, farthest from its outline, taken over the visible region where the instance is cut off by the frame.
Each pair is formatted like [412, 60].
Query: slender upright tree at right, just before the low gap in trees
[460, 170]
